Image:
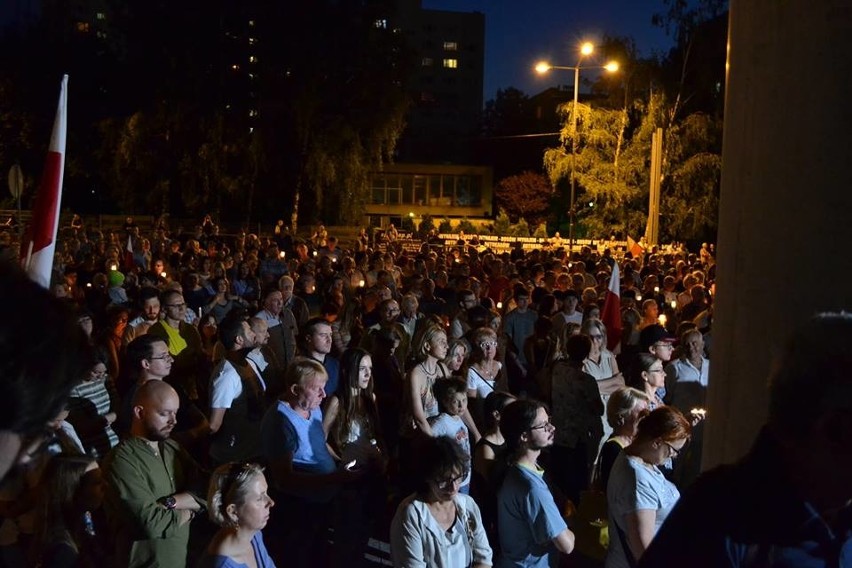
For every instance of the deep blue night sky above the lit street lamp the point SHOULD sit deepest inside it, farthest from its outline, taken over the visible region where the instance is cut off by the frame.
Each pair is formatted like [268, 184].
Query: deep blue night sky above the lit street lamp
[519, 33]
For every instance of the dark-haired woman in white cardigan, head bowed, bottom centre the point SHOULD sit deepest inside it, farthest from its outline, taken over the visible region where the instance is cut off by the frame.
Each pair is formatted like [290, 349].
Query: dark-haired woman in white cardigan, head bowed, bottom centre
[437, 526]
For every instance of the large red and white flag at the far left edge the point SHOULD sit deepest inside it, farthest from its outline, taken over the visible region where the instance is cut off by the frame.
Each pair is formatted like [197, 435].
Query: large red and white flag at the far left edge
[39, 242]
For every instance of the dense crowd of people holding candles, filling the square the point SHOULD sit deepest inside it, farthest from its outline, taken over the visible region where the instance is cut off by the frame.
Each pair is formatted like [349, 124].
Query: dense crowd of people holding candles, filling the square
[471, 396]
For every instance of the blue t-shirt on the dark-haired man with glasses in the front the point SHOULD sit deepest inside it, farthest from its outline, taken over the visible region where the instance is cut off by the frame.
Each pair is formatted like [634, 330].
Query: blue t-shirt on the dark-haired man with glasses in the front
[527, 519]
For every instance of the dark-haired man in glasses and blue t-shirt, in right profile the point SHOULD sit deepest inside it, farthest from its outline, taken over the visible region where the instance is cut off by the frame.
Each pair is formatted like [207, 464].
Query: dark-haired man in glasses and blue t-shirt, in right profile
[530, 526]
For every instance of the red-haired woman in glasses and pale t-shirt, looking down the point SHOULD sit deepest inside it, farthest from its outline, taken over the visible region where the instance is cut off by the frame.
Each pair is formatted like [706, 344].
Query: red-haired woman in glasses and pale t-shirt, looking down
[638, 494]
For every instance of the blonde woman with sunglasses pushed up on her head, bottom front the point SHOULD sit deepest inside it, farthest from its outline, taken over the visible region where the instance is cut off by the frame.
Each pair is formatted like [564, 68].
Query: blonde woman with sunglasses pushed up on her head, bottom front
[239, 503]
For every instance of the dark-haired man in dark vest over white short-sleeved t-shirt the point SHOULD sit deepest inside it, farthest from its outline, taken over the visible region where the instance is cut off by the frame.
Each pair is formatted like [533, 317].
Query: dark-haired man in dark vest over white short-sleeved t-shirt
[236, 397]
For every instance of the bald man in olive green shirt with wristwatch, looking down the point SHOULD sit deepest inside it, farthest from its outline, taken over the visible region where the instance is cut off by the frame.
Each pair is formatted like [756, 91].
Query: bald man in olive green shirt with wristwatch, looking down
[148, 476]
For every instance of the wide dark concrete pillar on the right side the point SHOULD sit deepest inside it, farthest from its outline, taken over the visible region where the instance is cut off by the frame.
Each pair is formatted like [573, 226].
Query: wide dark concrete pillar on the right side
[785, 216]
